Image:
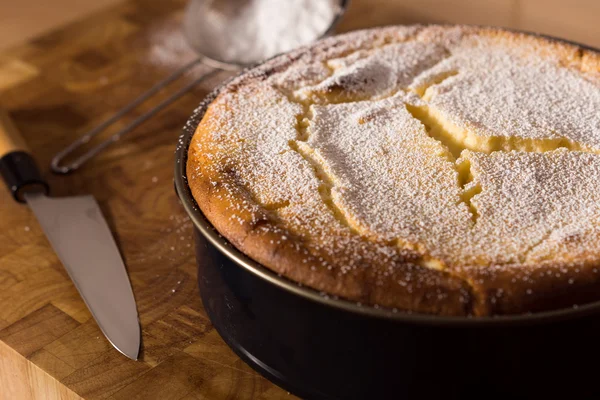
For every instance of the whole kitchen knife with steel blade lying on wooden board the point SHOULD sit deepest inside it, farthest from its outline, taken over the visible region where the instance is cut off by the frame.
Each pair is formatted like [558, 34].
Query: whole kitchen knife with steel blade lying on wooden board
[80, 237]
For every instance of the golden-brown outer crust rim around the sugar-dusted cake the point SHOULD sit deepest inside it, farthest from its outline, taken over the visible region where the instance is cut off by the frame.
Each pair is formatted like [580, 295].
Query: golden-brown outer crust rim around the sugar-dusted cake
[257, 230]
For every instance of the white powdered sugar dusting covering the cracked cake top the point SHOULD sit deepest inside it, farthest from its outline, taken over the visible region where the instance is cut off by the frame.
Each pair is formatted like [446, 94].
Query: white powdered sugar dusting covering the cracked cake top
[365, 180]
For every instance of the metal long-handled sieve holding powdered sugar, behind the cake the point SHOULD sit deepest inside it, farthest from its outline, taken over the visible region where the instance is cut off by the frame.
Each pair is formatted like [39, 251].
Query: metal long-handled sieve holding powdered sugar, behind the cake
[226, 34]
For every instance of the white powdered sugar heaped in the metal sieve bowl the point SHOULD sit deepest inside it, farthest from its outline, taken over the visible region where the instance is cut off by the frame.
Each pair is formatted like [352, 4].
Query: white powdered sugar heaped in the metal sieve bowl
[249, 31]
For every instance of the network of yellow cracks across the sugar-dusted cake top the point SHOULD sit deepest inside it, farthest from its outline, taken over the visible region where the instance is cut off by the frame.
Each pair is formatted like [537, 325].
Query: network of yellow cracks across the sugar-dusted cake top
[453, 140]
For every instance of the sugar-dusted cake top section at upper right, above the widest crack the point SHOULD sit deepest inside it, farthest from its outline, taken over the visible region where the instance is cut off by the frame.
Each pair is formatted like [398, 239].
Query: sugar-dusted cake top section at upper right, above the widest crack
[532, 97]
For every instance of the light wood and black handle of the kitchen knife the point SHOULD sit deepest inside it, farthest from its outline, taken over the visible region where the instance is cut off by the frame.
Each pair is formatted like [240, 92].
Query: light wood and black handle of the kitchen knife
[17, 166]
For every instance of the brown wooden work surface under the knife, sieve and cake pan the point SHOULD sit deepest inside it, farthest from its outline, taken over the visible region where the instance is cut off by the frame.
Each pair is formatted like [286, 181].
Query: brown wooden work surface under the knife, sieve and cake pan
[65, 82]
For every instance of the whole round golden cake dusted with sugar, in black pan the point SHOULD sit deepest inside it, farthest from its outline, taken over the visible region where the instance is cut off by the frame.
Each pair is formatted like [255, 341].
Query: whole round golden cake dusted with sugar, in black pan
[446, 170]
